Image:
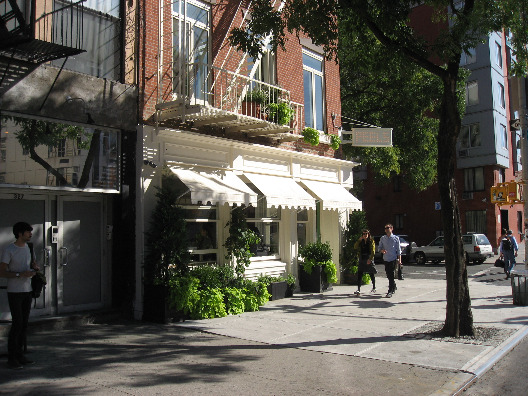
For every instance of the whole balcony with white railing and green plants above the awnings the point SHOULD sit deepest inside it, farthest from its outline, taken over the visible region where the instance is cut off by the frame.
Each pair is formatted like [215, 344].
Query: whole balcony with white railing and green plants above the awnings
[215, 100]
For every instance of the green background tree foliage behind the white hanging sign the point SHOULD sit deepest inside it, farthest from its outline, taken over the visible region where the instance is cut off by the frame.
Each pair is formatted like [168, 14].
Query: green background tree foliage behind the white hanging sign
[390, 93]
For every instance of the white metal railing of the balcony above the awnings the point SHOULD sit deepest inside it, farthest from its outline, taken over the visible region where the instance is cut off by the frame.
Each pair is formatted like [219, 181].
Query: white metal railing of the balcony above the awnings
[207, 85]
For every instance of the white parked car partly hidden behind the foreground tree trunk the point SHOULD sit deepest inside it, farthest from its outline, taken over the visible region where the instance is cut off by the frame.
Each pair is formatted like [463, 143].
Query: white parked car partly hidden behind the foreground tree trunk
[477, 248]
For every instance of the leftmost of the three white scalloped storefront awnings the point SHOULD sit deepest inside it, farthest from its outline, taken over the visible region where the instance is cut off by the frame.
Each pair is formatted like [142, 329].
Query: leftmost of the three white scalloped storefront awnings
[216, 188]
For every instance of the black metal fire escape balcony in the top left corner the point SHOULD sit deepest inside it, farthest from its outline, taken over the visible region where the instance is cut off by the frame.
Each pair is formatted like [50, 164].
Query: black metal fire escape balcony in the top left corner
[38, 32]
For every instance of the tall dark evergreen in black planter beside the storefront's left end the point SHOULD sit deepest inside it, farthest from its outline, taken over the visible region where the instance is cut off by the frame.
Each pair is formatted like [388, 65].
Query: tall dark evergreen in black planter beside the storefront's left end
[166, 254]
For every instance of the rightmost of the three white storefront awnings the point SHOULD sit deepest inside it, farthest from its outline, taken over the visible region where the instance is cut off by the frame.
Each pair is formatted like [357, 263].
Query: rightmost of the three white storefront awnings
[333, 196]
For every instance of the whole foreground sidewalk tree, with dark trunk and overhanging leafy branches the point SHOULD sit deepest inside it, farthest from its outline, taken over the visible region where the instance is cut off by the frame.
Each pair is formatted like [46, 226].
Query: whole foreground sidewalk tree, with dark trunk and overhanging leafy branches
[461, 26]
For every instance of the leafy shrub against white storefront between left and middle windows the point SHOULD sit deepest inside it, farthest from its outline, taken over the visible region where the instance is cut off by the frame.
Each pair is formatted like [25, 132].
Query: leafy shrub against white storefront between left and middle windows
[240, 241]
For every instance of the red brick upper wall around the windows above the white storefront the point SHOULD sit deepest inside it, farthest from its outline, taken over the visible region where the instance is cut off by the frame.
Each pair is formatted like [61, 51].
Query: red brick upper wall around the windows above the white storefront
[225, 16]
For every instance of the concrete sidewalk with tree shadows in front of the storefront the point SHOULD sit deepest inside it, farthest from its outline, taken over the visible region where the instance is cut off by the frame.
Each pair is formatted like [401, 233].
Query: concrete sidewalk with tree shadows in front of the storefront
[333, 343]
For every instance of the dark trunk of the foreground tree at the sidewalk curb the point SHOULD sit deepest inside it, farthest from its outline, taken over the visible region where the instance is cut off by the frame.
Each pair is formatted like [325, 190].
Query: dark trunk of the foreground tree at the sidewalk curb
[459, 318]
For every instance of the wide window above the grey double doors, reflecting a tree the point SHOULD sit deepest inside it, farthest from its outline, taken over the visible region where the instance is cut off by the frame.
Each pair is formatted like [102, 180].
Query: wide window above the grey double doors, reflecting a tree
[49, 154]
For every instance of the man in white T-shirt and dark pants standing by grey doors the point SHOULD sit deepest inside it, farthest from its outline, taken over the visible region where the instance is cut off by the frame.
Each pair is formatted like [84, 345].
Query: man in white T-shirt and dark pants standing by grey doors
[15, 265]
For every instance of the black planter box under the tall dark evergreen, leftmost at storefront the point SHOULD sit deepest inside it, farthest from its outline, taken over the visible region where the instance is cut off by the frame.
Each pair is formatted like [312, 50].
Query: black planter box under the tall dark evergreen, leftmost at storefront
[156, 307]
